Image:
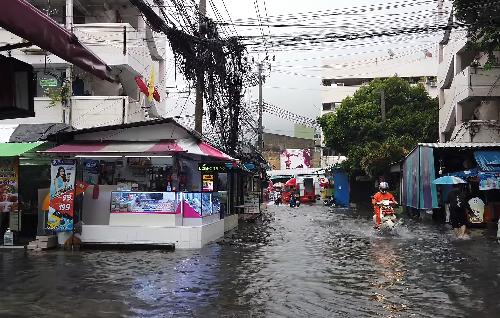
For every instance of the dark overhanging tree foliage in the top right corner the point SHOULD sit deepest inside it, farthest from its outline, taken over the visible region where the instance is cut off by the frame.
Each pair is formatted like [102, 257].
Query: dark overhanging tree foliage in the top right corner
[482, 19]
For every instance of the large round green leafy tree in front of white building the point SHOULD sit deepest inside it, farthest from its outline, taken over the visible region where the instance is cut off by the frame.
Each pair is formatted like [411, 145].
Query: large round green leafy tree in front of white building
[371, 145]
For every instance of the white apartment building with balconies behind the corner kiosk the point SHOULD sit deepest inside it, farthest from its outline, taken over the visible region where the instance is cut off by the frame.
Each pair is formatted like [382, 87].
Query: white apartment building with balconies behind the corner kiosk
[116, 32]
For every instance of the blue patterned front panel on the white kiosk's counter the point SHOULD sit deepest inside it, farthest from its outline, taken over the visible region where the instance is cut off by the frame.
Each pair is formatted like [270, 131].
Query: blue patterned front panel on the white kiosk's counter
[144, 202]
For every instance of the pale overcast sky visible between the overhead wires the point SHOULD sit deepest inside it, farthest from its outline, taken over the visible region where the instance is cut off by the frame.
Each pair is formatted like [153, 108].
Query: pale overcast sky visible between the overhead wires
[294, 81]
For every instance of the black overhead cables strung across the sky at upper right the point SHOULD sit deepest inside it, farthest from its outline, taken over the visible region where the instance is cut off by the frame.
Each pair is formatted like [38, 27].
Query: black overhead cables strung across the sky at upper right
[315, 29]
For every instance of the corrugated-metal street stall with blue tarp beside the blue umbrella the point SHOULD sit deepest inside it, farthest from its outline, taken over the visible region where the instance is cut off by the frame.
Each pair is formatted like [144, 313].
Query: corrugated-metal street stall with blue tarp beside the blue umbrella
[477, 164]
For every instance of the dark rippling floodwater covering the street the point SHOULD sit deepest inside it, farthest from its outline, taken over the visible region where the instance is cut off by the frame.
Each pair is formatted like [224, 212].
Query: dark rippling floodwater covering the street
[306, 262]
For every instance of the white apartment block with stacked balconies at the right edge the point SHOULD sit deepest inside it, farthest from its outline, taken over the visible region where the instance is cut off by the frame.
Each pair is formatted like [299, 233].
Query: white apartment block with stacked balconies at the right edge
[469, 93]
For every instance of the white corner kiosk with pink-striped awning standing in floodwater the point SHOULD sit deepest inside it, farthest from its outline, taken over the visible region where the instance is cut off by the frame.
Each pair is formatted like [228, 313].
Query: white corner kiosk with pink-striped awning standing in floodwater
[145, 183]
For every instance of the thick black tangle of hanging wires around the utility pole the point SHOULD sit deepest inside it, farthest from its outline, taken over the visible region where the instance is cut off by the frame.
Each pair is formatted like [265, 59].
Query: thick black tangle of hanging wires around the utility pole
[204, 57]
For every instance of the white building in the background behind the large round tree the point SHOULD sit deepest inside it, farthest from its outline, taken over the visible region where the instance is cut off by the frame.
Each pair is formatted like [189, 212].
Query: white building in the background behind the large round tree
[343, 78]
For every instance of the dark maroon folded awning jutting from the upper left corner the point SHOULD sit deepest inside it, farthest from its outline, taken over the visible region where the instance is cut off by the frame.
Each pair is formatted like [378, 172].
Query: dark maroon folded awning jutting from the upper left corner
[26, 21]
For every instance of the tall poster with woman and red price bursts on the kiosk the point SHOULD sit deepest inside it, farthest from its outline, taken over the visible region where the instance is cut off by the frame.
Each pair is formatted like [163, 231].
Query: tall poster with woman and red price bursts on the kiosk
[62, 193]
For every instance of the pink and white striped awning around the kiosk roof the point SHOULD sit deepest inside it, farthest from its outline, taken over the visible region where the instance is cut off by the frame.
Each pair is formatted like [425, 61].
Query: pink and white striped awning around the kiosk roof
[143, 148]
